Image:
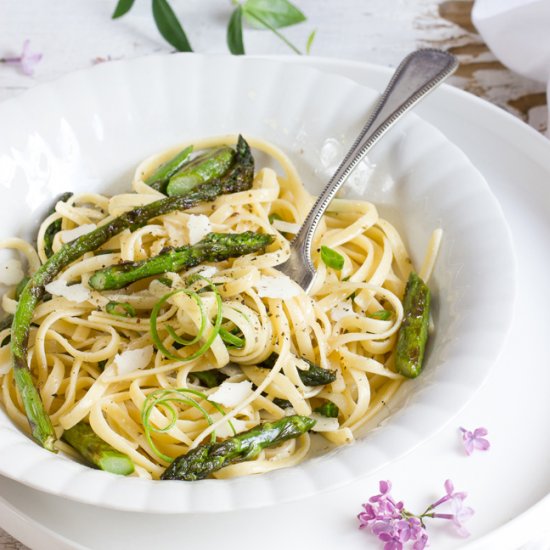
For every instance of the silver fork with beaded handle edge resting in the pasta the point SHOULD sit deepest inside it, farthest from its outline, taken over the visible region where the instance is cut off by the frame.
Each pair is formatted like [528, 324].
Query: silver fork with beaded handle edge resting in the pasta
[417, 75]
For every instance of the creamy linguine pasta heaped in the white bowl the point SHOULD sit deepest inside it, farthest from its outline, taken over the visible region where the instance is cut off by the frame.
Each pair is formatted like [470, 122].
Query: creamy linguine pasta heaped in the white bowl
[95, 356]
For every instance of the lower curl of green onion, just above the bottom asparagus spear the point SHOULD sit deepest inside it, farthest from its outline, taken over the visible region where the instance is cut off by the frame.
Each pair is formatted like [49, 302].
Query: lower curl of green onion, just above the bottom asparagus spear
[166, 398]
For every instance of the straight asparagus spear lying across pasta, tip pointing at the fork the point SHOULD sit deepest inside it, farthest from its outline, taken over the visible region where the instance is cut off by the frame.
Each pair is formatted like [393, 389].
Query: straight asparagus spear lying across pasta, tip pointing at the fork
[214, 248]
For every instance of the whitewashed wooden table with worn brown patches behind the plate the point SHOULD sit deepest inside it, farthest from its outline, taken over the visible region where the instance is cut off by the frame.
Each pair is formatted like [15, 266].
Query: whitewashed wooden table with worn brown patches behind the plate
[75, 35]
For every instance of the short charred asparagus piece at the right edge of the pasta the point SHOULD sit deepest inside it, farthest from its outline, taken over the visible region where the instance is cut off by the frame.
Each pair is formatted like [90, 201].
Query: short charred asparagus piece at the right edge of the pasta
[413, 333]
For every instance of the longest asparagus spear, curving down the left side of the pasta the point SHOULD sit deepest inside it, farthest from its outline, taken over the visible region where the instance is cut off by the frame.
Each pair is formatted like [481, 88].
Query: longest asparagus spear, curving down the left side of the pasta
[239, 178]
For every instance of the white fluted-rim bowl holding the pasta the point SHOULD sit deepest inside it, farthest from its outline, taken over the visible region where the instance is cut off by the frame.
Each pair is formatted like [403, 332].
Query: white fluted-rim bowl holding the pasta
[88, 131]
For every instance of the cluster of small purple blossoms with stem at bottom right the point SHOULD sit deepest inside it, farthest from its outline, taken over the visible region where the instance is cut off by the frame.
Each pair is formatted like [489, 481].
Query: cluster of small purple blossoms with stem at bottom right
[398, 528]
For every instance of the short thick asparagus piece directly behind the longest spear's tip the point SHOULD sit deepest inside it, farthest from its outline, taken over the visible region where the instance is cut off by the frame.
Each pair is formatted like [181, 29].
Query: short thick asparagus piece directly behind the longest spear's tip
[205, 167]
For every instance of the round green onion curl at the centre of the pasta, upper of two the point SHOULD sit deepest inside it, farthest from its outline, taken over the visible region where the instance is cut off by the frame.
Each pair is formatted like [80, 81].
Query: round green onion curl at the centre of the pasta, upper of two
[211, 337]
